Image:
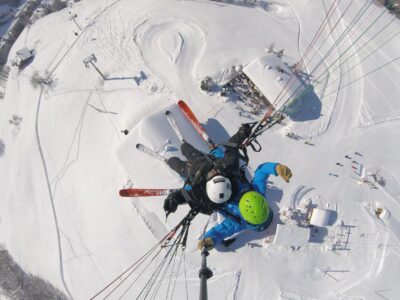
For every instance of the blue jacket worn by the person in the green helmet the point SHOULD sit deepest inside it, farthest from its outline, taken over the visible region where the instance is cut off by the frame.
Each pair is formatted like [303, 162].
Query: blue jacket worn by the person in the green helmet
[231, 225]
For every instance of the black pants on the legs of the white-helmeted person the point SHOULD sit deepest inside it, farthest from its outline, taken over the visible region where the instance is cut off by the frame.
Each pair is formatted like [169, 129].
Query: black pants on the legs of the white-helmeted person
[183, 167]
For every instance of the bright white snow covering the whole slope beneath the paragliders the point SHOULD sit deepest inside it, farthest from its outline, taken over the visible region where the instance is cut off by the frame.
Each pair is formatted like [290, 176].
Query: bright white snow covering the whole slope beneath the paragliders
[65, 158]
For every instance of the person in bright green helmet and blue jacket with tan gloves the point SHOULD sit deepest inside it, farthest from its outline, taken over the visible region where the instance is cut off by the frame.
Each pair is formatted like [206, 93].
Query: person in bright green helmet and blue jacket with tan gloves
[250, 209]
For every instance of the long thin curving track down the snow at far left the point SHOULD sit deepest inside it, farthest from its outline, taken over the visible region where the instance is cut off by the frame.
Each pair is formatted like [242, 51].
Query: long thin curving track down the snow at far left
[53, 207]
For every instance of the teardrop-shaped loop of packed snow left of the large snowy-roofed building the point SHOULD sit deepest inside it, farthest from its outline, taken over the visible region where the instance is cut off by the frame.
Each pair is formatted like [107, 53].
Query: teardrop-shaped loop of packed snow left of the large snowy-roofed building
[172, 49]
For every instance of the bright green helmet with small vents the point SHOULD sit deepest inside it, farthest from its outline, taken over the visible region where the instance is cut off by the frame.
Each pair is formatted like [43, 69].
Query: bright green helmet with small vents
[254, 208]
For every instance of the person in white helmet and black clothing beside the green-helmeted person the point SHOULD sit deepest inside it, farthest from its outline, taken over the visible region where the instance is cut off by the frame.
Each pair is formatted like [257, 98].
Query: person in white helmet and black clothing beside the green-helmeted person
[211, 178]
